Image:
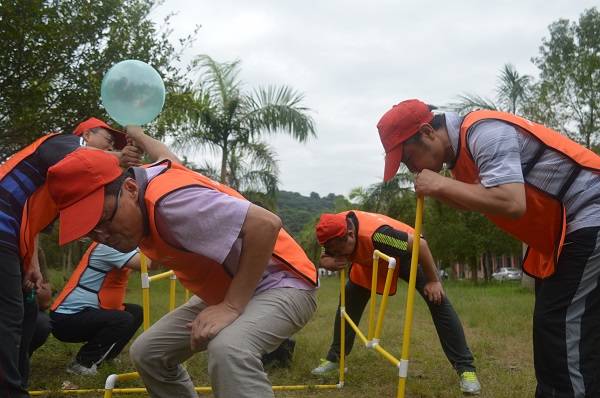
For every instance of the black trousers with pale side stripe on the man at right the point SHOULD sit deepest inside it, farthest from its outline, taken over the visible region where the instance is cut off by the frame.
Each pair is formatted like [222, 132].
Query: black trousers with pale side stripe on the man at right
[566, 321]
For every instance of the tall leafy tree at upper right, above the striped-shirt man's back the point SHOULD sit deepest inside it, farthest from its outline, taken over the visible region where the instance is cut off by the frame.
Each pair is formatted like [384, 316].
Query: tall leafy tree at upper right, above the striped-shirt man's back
[568, 93]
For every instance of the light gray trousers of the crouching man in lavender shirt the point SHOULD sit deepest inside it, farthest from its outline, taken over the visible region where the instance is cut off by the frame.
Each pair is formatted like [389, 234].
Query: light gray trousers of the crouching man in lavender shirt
[234, 355]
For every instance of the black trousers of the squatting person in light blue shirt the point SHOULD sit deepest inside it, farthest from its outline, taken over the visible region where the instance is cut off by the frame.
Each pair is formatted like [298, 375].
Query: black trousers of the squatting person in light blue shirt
[105, 332]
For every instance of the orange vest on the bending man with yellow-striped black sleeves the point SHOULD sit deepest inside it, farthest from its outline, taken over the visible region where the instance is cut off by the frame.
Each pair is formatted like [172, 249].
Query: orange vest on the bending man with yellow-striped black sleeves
[362, 257]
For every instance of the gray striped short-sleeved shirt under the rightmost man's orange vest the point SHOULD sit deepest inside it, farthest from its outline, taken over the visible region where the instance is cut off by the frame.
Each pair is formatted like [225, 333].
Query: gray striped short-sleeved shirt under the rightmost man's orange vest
[502, 151]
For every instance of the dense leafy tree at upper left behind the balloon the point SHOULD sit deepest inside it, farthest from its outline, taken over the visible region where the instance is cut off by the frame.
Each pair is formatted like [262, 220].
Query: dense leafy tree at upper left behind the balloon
[53, 55]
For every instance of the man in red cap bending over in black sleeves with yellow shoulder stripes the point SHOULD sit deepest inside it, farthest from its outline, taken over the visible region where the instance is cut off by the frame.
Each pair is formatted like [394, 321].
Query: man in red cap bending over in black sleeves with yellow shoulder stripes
[351, 237]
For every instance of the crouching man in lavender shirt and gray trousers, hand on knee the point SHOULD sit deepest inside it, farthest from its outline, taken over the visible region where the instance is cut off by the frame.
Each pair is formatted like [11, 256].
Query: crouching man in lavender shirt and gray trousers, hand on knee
[253, 285]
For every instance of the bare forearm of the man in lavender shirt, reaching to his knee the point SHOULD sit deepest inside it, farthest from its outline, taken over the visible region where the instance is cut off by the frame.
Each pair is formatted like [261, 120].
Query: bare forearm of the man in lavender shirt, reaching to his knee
[259, 234]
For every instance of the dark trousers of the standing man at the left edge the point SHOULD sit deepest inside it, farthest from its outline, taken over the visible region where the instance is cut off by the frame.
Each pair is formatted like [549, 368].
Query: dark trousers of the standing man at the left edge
[17, 322]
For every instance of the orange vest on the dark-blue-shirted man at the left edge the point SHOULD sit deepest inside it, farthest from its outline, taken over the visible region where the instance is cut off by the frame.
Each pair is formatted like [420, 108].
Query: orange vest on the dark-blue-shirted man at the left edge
[39, 209]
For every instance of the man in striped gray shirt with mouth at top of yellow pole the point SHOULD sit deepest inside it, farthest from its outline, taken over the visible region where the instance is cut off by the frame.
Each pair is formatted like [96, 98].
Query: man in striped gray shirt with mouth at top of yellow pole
[538, 186]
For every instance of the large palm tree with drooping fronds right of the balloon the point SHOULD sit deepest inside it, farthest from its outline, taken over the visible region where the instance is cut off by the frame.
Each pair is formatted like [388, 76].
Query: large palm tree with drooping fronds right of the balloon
[228, 120]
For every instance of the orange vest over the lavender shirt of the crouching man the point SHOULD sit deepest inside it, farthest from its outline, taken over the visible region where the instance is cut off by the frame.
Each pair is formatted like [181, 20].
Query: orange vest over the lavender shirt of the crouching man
[204, 277]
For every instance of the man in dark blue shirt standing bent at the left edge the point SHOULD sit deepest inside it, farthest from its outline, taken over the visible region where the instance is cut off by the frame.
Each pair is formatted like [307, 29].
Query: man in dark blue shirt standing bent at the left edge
[25, 210]
